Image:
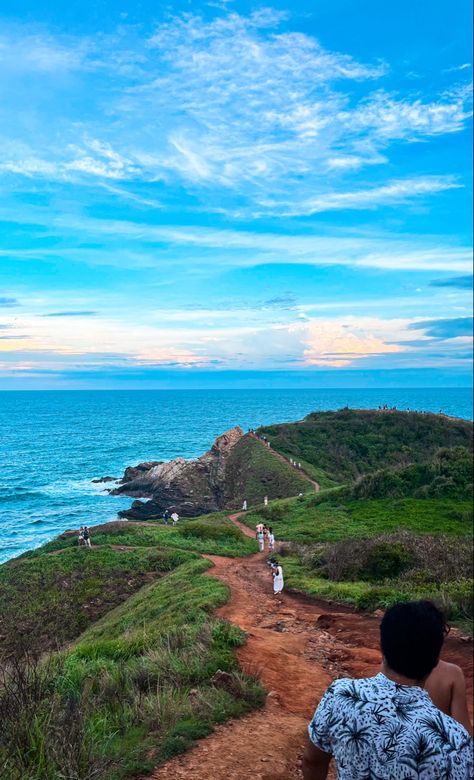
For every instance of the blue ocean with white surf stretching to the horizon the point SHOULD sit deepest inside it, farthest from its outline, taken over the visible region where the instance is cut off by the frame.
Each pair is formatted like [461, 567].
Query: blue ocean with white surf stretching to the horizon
[54, 443]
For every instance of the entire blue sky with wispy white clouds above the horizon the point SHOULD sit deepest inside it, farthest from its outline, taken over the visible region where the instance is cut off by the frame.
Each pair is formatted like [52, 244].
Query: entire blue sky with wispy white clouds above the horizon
[228, 189]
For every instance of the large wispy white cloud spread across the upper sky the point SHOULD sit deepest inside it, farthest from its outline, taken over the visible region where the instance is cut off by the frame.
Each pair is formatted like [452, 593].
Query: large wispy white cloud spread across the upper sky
[234, 105]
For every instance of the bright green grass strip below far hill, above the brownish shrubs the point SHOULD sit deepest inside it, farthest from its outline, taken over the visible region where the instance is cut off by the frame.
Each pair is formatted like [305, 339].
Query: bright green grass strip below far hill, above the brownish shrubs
[318, 519]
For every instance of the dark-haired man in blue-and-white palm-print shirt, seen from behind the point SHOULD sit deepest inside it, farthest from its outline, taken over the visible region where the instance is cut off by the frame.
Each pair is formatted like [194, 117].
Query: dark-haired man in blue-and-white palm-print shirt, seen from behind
[387, 727]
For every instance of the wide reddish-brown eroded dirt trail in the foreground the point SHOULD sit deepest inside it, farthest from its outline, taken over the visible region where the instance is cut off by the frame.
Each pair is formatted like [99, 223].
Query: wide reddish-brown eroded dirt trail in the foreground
[297, 648]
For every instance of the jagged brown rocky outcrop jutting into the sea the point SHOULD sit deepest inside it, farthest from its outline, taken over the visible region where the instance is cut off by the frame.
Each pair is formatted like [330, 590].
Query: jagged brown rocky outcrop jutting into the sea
[190, 487]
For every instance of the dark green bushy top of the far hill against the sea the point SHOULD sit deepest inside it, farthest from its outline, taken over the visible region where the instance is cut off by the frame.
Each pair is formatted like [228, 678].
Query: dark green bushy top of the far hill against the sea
[348, 443]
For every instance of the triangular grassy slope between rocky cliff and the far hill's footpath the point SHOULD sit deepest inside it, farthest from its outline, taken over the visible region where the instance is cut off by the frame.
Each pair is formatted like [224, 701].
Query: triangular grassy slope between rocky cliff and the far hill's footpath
[253, 472]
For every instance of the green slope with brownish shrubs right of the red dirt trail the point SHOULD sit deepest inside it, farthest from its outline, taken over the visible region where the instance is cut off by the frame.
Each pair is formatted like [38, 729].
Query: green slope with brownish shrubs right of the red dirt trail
[374, 552]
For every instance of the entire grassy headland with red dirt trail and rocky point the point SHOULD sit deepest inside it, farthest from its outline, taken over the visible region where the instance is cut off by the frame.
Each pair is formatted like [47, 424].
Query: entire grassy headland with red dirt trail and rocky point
[117, 659]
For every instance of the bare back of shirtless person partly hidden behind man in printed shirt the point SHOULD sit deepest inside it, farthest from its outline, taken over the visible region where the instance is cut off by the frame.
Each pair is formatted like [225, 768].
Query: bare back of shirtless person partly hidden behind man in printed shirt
[447, 689]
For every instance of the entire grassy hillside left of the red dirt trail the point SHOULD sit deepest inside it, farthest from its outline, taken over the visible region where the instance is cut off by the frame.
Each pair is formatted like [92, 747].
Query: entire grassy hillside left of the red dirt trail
[136, 687]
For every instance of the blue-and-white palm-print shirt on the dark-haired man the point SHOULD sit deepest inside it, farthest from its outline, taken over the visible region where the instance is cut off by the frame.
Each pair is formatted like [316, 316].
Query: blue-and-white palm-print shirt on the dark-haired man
[378, 730]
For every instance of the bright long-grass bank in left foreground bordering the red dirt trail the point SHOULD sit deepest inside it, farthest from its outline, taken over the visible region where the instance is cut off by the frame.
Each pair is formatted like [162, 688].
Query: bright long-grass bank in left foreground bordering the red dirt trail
[134, 691]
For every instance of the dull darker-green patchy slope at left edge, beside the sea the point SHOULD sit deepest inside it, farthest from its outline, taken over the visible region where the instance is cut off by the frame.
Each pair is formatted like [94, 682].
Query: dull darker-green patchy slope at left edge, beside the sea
[48, 600]
